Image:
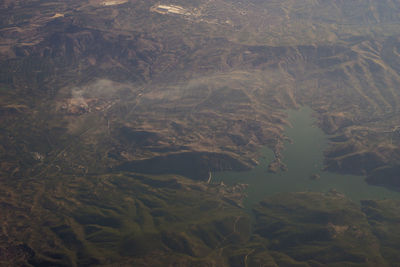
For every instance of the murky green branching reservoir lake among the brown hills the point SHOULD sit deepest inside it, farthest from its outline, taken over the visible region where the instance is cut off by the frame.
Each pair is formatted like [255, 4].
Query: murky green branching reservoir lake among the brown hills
[304, 157]
